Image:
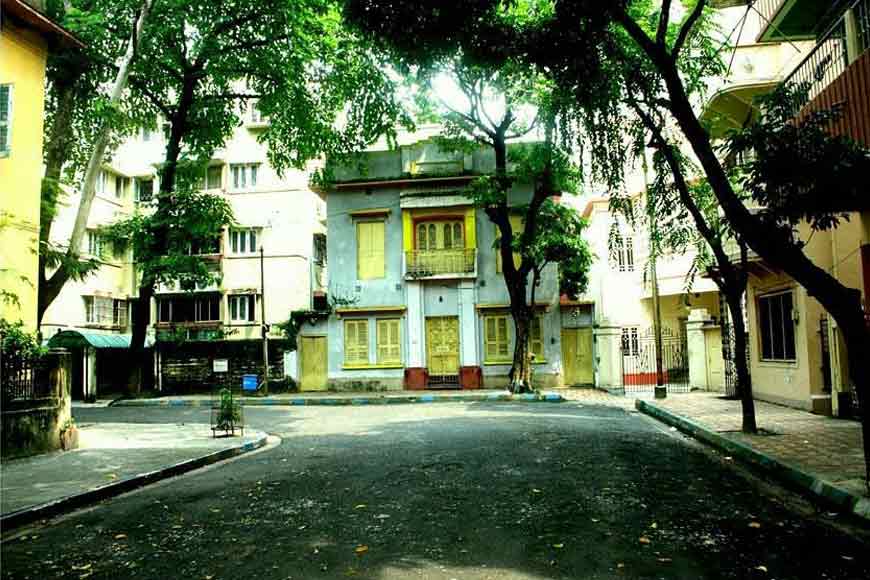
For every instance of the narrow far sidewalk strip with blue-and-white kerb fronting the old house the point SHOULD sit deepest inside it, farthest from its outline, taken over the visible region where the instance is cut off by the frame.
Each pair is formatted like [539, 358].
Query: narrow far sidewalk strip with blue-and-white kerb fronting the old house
[341, 398]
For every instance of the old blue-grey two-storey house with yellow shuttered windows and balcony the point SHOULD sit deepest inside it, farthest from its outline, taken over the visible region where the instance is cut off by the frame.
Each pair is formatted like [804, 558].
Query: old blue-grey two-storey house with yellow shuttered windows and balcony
[420, 298]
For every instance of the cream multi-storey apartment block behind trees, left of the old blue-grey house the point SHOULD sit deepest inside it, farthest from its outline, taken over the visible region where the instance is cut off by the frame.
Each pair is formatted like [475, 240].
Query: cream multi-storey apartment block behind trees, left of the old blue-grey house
[274, 248]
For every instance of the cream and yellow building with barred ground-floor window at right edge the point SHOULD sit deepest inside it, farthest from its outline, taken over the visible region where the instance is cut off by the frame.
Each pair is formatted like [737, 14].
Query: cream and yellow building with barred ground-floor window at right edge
[797, 356]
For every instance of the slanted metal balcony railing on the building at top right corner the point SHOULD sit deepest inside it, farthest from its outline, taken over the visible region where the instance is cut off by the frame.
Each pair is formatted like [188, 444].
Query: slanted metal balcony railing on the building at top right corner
[830, 57]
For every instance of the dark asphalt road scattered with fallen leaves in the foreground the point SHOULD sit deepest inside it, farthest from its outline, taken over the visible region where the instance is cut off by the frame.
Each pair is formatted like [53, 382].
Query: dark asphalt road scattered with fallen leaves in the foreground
[464, 491]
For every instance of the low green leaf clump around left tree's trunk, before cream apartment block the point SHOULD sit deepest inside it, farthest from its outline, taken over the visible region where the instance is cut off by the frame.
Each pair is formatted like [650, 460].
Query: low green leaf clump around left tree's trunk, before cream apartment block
[193, 219]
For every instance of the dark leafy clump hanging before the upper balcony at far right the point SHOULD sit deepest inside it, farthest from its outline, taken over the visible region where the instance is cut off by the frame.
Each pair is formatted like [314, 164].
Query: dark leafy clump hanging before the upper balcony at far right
[796, 169]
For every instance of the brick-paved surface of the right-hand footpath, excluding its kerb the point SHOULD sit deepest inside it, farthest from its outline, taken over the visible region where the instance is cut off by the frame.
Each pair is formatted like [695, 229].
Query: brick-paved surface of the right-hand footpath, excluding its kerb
[827, 448]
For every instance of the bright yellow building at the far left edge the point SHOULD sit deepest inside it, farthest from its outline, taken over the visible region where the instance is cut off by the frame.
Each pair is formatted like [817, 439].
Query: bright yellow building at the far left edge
[26, 37]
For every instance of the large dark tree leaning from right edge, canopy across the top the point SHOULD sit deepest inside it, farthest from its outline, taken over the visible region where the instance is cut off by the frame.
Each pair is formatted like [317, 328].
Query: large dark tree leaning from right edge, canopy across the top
[577, 44]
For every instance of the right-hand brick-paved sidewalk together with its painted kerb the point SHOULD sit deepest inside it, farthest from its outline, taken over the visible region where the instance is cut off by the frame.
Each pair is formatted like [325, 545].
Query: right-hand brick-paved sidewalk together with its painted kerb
[822, 454]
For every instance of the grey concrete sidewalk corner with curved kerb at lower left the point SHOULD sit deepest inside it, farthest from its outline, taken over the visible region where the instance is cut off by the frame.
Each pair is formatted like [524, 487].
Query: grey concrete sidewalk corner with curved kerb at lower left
[112, 458]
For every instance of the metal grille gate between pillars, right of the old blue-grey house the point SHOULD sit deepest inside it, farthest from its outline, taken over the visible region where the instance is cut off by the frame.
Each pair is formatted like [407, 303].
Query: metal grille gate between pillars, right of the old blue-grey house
[639, 361]
